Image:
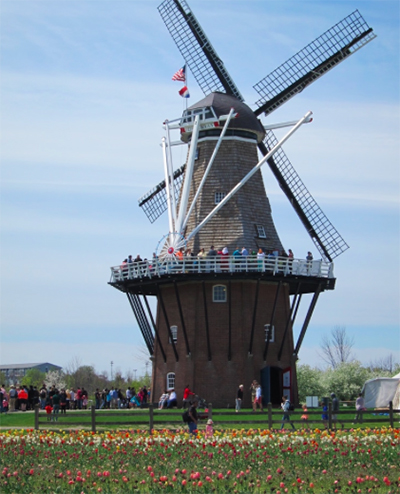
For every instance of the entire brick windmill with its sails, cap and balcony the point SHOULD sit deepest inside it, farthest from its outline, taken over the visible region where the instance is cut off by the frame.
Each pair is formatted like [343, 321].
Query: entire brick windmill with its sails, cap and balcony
[222, 320]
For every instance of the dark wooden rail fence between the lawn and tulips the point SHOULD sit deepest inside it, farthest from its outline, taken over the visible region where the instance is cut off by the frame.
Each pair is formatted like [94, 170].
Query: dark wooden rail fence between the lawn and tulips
[160, 418]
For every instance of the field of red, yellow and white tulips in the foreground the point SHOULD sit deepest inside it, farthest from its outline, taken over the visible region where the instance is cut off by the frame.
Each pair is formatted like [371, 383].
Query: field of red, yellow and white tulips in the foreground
[259, 461]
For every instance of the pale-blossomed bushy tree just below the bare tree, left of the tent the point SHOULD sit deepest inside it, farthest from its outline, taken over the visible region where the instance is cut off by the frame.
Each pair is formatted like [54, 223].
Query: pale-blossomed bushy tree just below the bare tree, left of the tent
[346, 380]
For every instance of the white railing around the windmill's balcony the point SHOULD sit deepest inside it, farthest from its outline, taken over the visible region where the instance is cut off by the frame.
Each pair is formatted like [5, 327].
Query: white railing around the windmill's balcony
[222, 264]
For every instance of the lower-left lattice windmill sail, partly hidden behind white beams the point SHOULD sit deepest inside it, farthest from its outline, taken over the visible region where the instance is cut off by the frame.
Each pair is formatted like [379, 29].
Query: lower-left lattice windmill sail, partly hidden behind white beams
[154, 202]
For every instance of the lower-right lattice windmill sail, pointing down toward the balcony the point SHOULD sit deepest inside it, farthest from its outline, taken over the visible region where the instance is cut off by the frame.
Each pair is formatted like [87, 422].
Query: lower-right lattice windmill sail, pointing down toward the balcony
[324, 235]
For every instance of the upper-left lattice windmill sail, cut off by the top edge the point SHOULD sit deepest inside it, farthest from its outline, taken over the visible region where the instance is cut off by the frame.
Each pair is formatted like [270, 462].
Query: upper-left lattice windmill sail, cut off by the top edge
[196, 49]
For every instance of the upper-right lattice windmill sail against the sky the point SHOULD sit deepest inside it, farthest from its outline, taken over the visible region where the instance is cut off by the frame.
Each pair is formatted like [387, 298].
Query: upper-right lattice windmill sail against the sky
[313, 61]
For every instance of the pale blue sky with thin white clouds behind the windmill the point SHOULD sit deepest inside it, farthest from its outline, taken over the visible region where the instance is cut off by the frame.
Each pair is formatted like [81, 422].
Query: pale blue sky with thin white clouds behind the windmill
[85, 87]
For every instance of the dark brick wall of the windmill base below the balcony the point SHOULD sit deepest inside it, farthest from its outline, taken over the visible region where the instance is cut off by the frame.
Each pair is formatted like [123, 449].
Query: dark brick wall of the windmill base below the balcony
[217, 379]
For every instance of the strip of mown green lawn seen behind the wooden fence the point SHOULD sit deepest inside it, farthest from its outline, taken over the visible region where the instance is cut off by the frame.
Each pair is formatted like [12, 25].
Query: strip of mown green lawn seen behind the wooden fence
[223, 419]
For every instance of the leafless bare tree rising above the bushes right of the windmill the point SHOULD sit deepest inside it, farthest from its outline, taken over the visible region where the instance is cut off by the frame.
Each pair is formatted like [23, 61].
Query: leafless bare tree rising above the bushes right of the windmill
[336, 348]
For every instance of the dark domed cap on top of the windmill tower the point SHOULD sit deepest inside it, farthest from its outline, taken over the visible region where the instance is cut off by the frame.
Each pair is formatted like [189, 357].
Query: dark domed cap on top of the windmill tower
[222, 104]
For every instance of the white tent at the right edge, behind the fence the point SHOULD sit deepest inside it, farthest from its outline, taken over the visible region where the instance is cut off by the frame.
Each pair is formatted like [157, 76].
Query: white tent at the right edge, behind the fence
[380, 391]
